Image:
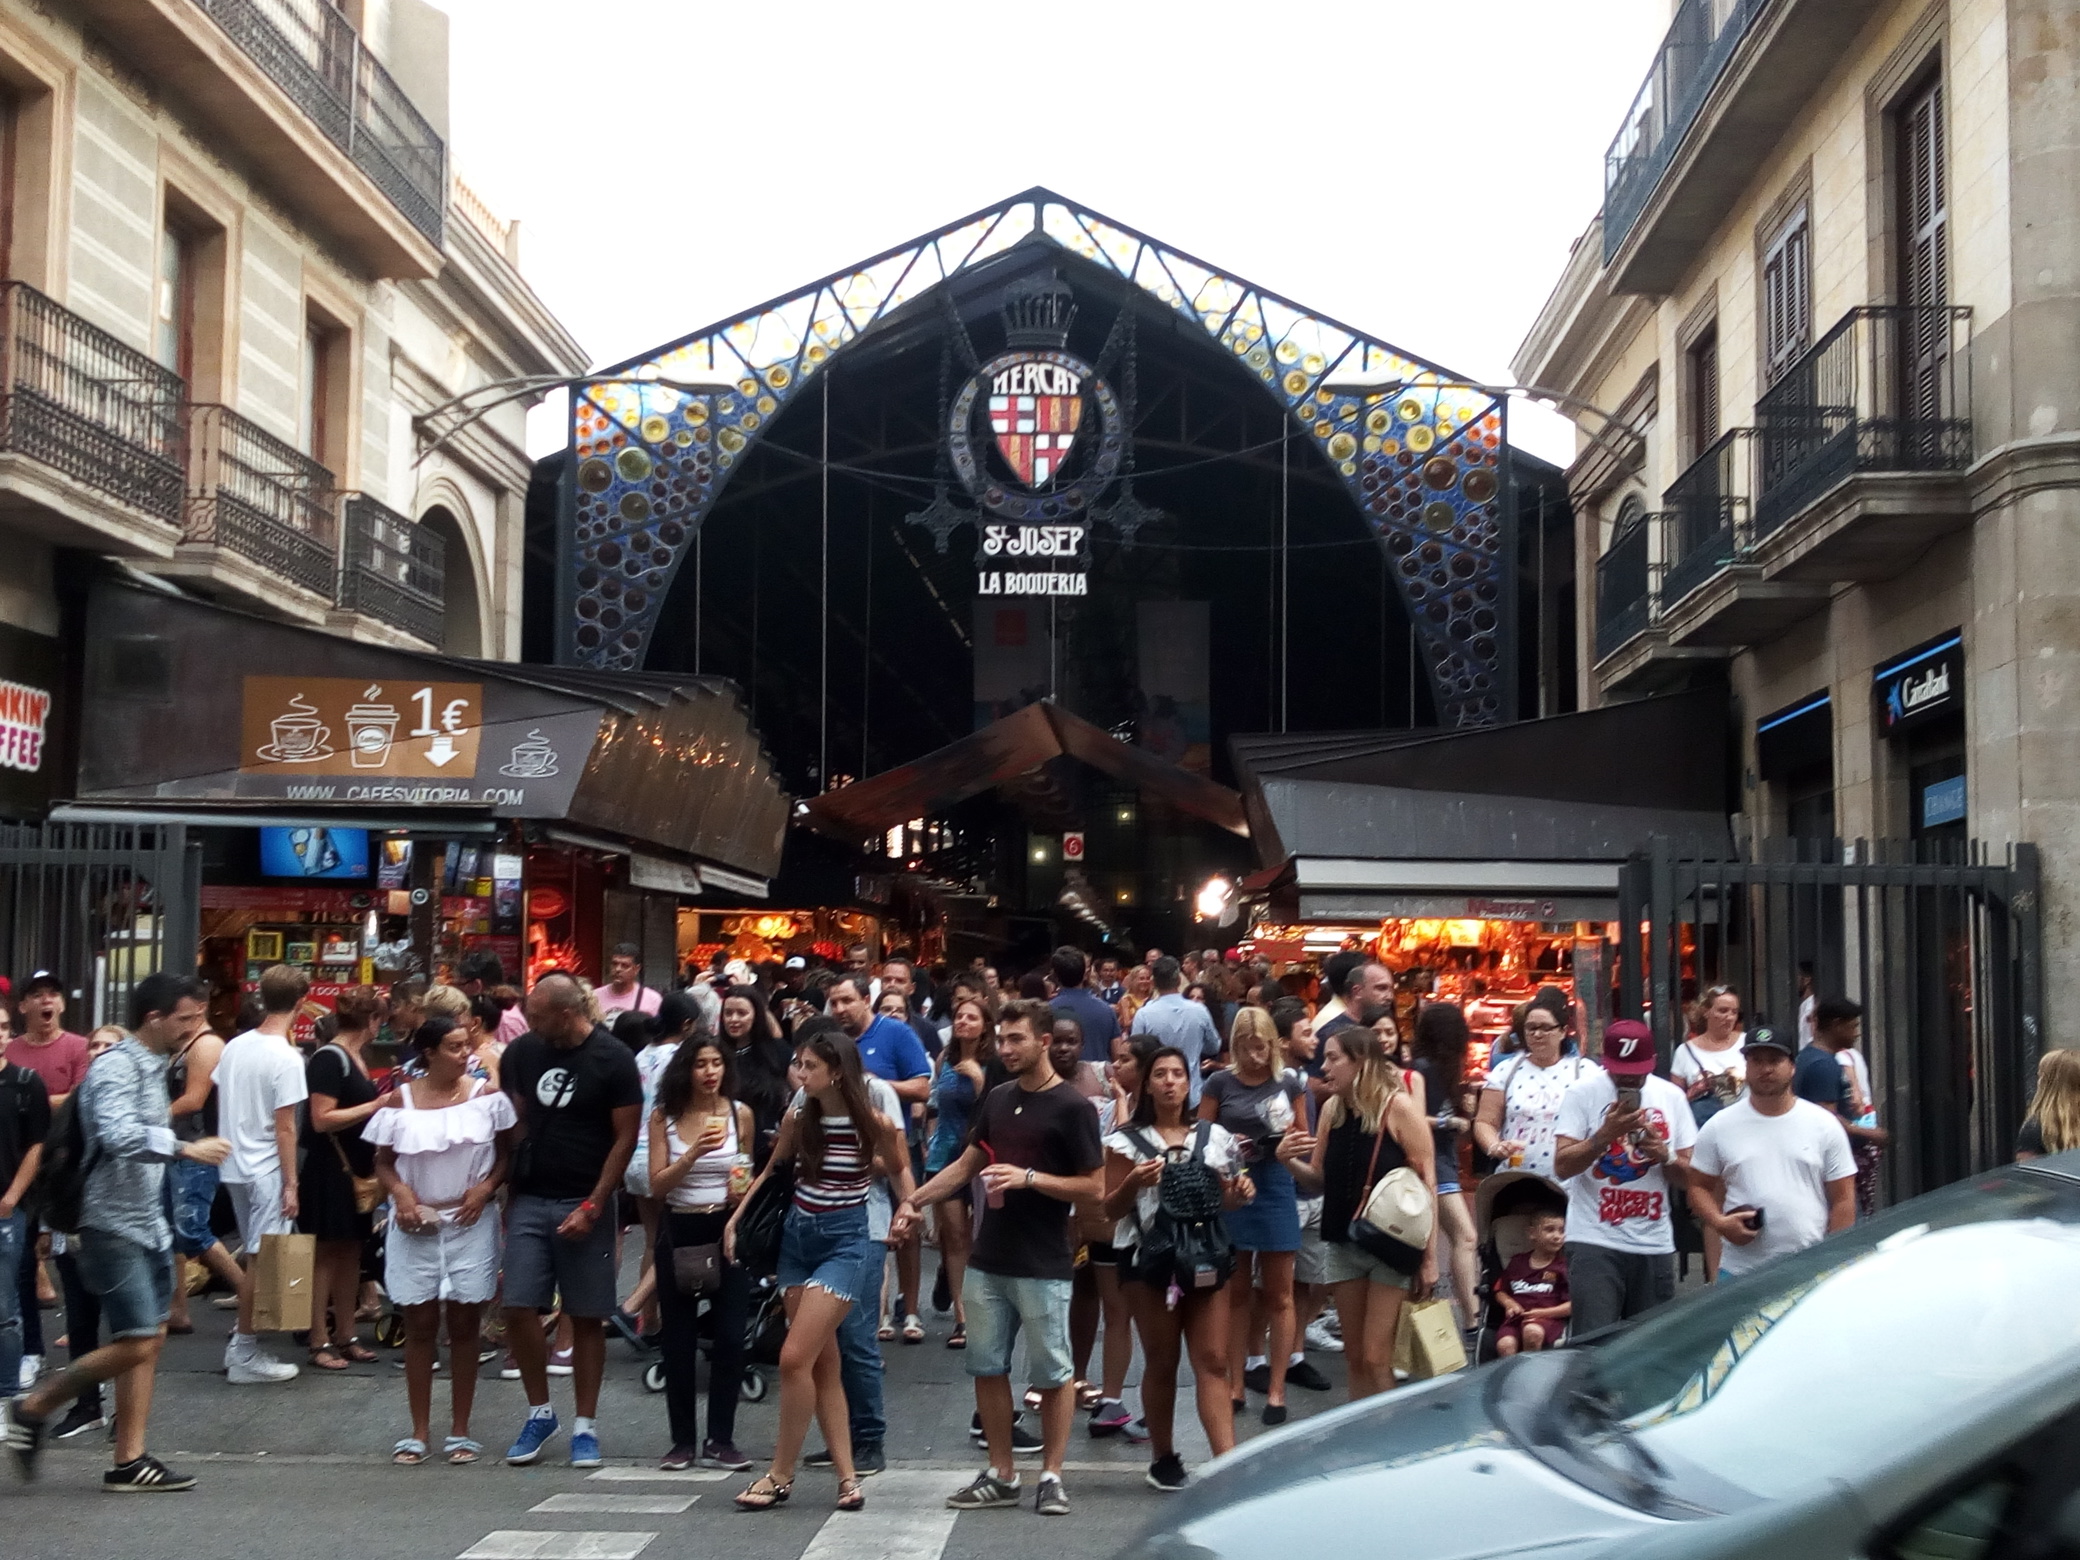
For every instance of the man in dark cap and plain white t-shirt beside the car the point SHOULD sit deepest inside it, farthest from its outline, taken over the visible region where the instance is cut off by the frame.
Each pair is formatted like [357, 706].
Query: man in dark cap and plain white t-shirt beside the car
[1771, 1174]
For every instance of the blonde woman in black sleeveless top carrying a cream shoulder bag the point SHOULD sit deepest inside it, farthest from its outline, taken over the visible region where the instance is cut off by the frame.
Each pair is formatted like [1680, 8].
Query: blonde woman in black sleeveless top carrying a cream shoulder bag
[1370, 1128]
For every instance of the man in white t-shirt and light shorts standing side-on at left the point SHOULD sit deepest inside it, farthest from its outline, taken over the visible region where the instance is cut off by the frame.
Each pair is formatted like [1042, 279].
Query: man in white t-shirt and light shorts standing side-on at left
[259, 1089]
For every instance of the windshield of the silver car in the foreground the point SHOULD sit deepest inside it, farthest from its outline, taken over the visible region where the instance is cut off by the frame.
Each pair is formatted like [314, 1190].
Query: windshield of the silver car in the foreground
[1823, 1361]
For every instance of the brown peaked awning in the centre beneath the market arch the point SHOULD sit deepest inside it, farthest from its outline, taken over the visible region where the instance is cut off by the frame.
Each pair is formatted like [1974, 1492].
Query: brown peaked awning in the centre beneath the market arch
[1002, 752]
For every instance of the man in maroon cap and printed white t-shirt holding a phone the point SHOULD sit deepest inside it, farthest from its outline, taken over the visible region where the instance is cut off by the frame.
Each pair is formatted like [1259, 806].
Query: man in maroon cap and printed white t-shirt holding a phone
[1621, 1147]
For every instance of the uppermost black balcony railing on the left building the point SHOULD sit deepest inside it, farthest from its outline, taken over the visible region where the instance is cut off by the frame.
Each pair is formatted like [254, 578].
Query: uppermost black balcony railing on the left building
[315, 55]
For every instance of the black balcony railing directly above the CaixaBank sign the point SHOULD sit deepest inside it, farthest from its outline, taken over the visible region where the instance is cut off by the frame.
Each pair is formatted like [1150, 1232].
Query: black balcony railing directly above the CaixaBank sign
[1888, 390]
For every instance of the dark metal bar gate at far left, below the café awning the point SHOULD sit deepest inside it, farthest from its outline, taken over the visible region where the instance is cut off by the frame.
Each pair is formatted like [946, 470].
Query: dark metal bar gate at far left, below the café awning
[101, 906]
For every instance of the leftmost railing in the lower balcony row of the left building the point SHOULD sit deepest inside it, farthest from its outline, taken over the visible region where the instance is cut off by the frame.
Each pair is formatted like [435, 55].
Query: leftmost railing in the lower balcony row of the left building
[78, 400]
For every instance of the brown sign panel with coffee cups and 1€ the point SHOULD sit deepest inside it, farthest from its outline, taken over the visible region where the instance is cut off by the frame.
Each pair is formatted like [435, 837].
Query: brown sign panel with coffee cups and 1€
[344, 727]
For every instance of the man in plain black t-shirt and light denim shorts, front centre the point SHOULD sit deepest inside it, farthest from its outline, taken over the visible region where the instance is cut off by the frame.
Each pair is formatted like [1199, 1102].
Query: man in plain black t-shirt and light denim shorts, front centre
[1037, 1153]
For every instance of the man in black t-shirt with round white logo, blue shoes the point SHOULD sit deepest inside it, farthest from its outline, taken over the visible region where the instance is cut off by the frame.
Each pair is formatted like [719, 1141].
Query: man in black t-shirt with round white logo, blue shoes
[579, 1099]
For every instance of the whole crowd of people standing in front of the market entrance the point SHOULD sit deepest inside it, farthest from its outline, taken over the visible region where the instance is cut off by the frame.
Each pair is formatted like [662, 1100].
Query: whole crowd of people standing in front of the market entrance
[1185, 1155]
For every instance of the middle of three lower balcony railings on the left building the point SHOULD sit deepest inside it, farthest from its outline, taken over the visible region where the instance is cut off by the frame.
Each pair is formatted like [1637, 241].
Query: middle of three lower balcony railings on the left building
[261, 498]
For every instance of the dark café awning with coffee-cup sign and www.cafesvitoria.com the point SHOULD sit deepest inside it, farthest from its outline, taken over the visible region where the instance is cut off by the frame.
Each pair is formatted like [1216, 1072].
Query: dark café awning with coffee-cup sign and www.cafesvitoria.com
[190, 706]
